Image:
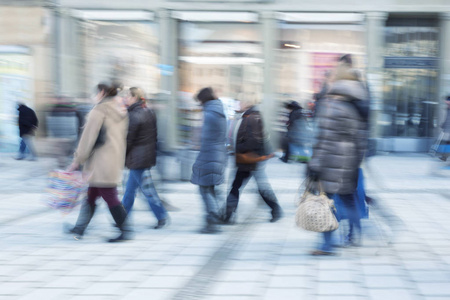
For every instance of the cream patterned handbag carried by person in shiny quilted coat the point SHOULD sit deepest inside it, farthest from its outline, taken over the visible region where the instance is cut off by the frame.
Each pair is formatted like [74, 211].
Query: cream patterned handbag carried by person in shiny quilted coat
[316, 212]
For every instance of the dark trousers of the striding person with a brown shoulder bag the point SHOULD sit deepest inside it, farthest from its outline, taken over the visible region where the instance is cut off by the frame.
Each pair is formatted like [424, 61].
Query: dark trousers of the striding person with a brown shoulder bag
[264, 189]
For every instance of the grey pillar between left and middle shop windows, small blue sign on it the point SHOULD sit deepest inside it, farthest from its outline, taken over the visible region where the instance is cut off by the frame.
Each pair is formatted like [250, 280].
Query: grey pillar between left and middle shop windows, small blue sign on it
[169, 78]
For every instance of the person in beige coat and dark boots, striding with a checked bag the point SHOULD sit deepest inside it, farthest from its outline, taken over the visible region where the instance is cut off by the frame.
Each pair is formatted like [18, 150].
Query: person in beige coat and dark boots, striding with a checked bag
[101, 151]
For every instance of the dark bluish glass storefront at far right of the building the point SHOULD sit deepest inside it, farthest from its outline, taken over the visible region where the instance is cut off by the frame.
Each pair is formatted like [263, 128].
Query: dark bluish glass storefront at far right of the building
[410, 80]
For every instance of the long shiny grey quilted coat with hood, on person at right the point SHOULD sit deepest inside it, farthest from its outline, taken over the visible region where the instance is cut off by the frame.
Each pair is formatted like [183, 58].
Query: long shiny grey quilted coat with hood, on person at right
[342, 137]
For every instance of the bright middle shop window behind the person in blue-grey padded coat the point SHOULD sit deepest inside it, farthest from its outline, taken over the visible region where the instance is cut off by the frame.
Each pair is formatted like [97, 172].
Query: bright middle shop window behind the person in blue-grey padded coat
[225, 56]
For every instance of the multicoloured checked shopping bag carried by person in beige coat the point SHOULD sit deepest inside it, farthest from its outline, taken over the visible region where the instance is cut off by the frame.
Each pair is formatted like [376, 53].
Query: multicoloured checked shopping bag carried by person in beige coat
[64, 190]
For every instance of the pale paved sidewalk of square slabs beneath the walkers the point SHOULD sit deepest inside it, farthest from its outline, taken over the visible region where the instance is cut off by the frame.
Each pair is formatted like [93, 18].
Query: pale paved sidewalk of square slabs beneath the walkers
[252, 260]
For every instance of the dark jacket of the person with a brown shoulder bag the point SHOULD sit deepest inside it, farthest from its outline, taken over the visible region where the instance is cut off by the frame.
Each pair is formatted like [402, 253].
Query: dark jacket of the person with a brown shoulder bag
[251, 137]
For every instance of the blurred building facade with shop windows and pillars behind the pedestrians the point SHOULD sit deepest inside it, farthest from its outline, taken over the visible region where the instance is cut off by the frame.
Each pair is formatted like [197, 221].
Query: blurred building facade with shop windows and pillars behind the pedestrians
[279, 49]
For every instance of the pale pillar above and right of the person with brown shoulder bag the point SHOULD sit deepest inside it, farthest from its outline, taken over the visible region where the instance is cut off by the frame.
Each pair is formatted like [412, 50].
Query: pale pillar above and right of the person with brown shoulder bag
[269, 107]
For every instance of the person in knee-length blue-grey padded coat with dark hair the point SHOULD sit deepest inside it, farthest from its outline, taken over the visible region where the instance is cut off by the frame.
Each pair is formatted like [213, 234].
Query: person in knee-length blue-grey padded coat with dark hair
[209, 167]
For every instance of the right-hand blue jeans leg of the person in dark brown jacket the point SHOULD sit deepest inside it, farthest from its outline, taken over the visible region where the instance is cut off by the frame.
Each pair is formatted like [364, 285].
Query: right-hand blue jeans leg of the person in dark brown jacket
[149, 191]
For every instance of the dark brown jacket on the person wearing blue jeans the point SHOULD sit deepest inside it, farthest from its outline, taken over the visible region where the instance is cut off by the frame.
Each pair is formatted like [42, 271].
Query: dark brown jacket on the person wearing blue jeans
[142, 137]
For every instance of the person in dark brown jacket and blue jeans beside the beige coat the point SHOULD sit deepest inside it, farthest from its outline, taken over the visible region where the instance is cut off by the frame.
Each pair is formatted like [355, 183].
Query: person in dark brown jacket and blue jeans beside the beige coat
[141, 155]
